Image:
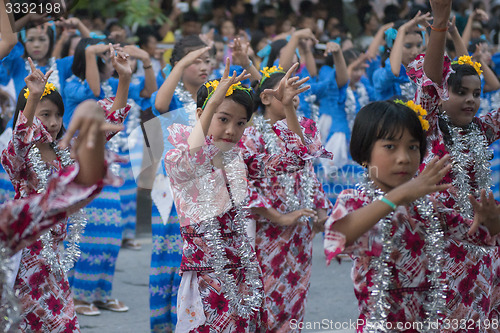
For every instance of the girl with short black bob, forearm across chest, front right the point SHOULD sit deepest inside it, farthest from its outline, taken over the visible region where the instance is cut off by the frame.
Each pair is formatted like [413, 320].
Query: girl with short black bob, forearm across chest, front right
[392, 230]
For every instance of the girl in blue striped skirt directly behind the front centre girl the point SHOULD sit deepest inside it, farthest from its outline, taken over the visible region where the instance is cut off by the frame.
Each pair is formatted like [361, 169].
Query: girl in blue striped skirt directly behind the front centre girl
[190, 68]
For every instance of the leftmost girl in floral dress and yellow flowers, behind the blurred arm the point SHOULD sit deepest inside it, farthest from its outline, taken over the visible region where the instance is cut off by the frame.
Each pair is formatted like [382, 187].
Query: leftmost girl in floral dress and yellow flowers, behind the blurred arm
[30, 157]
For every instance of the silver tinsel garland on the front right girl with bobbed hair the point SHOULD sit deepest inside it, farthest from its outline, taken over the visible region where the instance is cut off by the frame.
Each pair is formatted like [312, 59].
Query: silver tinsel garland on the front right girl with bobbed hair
[434, 250]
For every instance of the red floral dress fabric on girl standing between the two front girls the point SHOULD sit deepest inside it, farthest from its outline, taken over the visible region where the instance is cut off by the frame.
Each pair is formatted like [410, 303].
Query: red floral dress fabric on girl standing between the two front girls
[284, 253]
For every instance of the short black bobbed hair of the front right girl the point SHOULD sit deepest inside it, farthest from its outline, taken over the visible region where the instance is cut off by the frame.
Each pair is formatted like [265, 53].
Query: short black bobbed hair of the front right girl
[383, 120]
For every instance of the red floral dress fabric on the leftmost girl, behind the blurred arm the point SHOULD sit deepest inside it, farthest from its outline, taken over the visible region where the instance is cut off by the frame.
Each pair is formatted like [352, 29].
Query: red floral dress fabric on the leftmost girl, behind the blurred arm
[46, 299]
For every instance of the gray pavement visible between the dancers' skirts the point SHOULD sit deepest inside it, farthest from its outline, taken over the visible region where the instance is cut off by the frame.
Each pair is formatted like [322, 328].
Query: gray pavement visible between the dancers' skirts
[331, 302]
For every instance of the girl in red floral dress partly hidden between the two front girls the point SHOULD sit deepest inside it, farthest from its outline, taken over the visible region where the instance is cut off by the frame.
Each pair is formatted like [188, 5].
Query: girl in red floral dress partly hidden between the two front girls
[288, 209]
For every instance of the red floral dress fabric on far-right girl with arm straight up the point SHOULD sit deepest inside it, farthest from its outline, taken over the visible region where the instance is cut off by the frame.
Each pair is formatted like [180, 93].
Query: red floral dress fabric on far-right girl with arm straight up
[474, 269]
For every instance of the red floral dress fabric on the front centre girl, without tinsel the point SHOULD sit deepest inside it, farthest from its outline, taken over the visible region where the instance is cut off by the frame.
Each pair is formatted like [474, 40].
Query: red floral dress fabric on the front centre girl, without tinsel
[189, 175]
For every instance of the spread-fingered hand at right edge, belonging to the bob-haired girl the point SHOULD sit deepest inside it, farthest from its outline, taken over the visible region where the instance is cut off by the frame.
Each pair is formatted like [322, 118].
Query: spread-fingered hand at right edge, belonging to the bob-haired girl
[486, 212]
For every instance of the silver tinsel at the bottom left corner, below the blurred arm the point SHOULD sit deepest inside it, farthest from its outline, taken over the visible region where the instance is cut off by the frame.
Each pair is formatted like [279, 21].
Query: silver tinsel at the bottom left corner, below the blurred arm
[9, 308]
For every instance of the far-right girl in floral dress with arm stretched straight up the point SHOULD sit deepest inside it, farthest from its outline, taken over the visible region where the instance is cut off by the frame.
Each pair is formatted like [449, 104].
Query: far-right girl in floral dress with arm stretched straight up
[450, 92]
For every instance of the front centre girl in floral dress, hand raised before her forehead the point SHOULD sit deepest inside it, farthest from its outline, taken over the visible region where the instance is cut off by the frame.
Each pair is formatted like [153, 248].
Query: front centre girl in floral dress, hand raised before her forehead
[221, 286]
